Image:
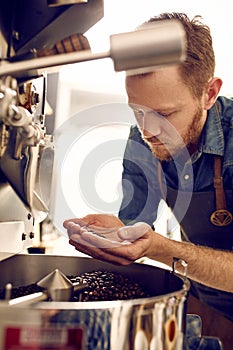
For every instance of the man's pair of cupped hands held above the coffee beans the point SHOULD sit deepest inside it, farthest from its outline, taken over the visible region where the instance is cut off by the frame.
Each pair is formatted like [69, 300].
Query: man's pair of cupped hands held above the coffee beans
[112, 241]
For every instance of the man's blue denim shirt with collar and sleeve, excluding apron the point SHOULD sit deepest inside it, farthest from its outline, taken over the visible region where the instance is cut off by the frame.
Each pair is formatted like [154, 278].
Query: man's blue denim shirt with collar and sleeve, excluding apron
[141, 189]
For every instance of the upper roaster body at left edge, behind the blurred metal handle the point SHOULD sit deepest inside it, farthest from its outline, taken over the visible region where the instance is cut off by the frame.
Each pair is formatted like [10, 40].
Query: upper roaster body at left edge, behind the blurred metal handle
[30, 30]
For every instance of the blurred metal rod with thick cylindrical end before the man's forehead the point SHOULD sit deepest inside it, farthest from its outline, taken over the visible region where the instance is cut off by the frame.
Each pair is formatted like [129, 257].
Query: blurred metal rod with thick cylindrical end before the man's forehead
[153, 45]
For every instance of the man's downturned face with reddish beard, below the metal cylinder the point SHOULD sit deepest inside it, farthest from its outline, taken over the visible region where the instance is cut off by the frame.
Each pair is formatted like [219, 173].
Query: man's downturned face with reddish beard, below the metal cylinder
[167, 114]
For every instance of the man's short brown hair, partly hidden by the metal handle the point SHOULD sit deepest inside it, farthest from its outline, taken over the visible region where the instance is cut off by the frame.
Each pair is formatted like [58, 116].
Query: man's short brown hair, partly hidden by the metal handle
[199, 64]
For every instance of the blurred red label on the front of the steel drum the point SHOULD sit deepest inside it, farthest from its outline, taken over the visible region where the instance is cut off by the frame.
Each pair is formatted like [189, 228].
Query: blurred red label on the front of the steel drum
[37, 338]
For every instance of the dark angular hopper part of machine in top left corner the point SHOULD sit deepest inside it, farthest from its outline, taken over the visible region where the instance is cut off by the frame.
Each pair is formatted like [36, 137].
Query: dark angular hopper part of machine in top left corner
[32, 25]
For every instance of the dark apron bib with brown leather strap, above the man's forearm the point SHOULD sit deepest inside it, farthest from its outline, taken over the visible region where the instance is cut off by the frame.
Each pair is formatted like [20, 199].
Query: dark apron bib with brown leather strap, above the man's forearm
[208, 219]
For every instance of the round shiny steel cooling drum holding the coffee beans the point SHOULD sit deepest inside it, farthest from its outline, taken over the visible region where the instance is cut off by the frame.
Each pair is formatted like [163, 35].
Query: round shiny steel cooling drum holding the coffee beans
[157, 321]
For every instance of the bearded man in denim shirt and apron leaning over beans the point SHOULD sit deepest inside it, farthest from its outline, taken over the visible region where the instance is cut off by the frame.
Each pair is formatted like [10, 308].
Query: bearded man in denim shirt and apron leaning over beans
[181, 151]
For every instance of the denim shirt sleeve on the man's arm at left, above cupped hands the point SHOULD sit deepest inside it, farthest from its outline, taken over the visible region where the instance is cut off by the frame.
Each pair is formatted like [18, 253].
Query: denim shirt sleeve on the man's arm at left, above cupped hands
[140, 188]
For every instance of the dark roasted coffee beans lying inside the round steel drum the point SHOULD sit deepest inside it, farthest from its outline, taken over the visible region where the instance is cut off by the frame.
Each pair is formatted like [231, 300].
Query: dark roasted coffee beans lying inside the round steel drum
[101, 286]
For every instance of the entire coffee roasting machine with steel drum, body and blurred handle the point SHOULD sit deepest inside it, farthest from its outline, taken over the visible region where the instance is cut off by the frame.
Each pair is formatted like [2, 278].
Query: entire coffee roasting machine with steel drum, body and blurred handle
[36, 37]
